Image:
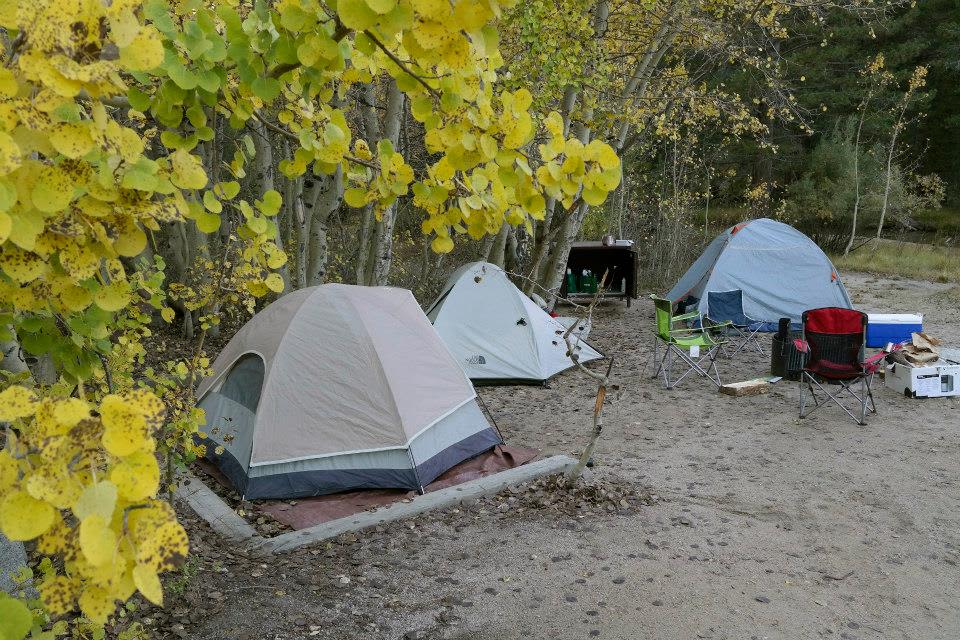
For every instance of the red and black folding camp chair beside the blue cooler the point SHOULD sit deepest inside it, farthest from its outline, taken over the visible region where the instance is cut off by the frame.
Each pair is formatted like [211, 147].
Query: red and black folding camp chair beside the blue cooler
[834, 341]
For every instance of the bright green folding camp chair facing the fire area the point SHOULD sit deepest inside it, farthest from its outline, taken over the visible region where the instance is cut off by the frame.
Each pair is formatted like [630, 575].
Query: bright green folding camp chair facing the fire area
[679, 342]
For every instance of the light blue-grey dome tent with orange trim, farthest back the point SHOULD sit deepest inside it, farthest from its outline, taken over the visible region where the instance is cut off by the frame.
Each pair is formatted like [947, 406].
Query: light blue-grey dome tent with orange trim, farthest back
[781, 272]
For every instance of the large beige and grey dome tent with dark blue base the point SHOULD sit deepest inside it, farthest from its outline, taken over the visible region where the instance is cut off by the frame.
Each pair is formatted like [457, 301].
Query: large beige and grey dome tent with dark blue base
[339, 387]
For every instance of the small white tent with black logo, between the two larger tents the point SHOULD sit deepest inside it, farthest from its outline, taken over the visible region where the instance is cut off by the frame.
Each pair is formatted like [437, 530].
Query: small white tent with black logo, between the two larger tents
[498, 334]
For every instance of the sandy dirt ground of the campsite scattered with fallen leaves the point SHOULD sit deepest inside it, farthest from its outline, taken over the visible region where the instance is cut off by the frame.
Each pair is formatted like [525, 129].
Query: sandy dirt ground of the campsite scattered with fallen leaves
[752, 525]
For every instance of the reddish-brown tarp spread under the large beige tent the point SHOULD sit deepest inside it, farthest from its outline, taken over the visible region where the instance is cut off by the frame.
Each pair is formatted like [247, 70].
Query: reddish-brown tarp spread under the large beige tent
[307, 512]
